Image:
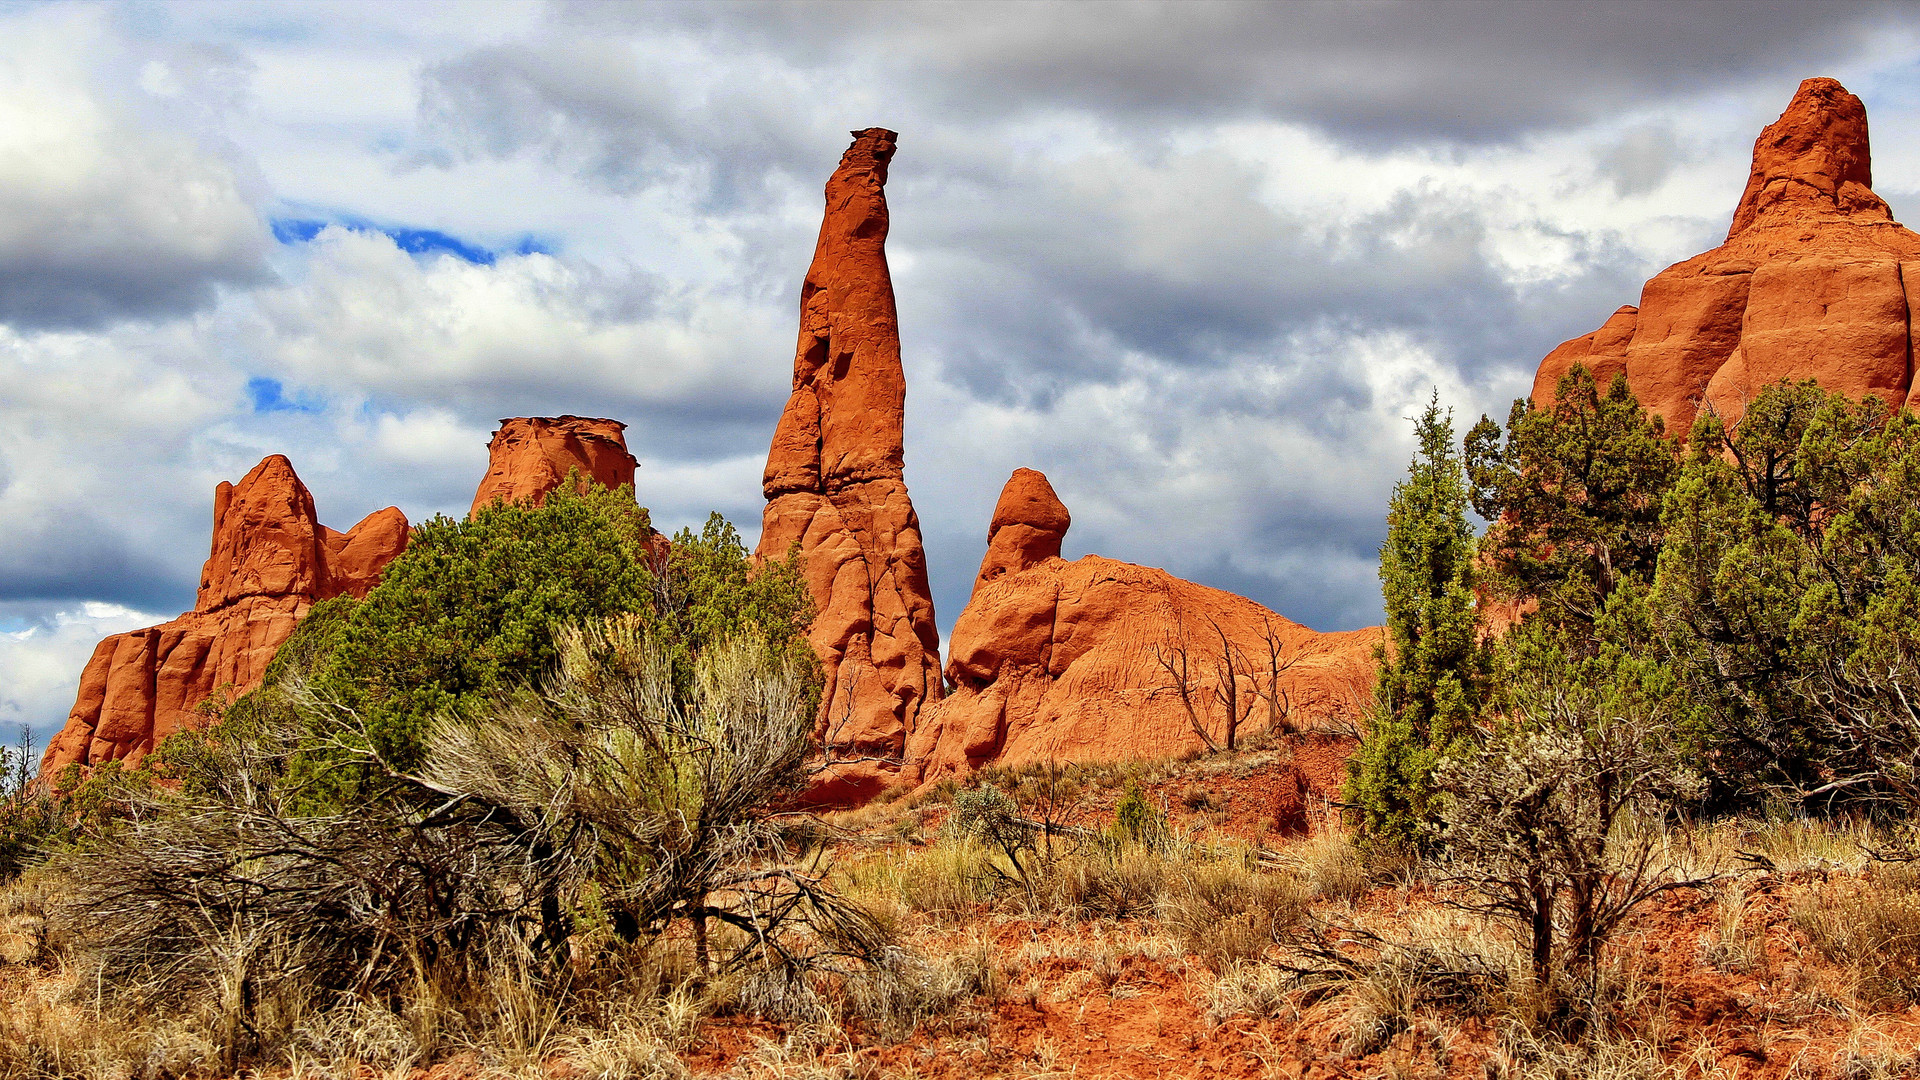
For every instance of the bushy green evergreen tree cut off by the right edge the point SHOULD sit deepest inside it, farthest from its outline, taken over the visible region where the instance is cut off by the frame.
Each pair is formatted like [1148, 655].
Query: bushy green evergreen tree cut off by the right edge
[1787, 599]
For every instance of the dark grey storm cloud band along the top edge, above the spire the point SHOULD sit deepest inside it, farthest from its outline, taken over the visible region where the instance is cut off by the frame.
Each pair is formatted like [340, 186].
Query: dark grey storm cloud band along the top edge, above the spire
[1370, 72]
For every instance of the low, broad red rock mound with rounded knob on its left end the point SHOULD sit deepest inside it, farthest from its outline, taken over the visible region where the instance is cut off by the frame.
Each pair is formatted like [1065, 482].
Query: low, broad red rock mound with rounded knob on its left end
[1080, 662]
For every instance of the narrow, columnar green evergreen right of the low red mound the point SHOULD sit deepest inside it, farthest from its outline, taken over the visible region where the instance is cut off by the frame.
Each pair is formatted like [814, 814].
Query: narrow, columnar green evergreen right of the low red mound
[1433, 668]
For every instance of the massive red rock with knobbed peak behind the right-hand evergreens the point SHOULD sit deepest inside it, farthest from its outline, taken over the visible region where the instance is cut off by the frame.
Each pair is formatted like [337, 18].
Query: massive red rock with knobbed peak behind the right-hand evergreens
[1815, 282]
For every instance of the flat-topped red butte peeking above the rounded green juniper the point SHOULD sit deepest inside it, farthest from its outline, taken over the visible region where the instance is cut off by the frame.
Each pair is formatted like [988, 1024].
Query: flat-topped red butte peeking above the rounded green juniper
[531, 456]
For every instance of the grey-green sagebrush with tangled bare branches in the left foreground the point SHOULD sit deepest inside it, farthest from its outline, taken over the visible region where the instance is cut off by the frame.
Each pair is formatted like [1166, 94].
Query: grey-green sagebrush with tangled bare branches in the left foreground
[615, 816]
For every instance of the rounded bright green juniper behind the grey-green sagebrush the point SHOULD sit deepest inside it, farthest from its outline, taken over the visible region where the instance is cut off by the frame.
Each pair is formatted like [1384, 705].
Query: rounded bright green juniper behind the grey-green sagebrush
[471, 612]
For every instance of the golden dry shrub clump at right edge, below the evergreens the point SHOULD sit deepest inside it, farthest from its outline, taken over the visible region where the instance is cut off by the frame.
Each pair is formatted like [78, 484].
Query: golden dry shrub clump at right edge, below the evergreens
[1871, 923]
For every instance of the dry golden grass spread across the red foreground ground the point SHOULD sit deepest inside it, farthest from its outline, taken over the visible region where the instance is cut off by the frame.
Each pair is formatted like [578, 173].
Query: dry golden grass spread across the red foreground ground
[1401, 985]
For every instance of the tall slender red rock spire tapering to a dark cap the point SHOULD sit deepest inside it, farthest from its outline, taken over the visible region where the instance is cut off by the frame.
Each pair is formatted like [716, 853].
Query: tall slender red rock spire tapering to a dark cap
[834, 485]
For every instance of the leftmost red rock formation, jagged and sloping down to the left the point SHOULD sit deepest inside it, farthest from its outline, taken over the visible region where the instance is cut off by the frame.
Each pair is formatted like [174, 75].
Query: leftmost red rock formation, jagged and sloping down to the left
[272, 562]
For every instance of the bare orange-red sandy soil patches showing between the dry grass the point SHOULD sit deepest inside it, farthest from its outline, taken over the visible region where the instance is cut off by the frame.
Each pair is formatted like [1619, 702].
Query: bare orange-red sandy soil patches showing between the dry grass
[1790, 1014]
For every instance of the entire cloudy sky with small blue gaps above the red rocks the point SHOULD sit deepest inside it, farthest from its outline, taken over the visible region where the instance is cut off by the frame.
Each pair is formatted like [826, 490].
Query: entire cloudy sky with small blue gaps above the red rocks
[1193, 262]
